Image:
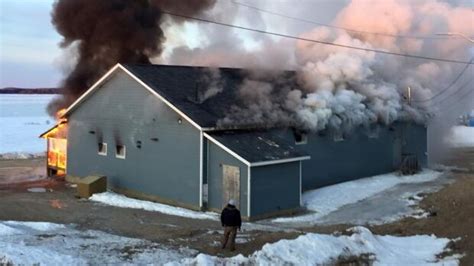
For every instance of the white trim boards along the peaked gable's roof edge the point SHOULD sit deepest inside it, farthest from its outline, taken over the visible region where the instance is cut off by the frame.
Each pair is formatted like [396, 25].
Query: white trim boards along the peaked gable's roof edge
[101, 80]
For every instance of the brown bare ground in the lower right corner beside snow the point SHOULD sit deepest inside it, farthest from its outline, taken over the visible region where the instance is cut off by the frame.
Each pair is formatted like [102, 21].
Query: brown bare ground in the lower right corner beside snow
[451, 216]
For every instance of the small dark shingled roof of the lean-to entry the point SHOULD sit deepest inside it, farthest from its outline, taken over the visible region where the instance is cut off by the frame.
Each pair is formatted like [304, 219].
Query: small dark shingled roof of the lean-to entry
[257, 146]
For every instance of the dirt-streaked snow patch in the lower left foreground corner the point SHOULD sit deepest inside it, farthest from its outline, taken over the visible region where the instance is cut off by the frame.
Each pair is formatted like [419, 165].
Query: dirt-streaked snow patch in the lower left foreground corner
[38, 243]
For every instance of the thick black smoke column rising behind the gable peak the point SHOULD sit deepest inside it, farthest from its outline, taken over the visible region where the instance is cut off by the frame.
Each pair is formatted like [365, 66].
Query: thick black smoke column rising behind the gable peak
[107, 32]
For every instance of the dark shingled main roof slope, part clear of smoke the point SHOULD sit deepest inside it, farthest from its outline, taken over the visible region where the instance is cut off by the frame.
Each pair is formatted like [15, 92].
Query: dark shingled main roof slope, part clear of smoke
[180, 86]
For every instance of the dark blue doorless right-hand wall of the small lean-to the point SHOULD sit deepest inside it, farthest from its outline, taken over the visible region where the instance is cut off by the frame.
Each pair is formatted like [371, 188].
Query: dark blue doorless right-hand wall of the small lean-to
[274, 188]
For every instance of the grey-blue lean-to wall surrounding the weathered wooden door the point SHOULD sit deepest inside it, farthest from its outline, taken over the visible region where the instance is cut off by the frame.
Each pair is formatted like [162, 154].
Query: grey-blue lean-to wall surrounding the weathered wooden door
[216, 158]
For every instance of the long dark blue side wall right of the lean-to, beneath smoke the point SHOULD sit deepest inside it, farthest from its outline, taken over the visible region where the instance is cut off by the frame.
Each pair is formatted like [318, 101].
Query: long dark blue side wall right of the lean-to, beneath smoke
[358, 155]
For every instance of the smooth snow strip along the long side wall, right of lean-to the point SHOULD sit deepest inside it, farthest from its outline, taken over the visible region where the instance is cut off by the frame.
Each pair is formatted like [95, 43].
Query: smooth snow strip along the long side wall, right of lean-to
[328, 199]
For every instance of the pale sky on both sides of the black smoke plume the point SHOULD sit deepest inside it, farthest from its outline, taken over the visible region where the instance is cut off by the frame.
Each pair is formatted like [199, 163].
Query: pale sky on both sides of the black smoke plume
[30, 55]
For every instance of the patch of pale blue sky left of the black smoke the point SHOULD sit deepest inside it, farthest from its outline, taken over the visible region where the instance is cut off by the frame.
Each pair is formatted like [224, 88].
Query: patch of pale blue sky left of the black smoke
[28, 44]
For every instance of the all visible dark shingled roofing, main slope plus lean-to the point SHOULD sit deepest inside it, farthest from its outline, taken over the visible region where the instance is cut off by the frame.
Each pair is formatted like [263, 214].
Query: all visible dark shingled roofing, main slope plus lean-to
[180, 85]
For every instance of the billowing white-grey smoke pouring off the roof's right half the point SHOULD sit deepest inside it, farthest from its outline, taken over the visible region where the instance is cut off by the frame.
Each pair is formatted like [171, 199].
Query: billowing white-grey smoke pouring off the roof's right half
[339, 88]
